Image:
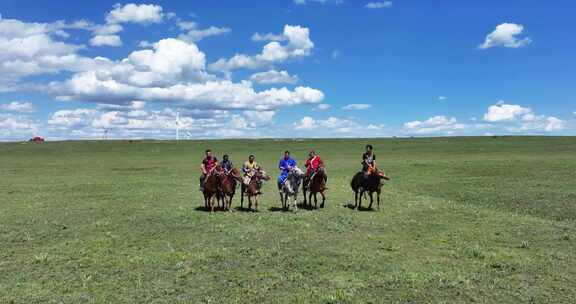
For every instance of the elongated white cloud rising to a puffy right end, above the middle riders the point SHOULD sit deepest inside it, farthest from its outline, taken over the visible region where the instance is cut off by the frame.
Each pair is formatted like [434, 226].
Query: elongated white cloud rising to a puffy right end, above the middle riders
[297, 44]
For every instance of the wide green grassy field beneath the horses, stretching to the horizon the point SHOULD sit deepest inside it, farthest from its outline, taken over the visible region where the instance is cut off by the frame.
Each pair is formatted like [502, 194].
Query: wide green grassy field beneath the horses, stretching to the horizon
[488, 220]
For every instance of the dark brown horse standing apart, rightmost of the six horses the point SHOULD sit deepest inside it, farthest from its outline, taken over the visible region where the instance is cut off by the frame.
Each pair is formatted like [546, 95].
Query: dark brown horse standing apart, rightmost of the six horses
[372, 183]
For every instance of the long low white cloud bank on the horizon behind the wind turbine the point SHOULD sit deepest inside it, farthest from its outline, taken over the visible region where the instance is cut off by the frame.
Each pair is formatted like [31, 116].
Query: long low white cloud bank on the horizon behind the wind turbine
[136, 121]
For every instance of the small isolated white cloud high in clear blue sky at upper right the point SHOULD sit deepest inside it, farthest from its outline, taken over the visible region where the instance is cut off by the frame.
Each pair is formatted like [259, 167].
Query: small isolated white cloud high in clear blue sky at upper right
[506, 35]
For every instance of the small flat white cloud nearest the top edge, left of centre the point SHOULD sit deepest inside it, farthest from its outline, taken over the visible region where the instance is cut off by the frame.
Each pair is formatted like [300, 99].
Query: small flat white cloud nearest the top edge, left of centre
[134, 13]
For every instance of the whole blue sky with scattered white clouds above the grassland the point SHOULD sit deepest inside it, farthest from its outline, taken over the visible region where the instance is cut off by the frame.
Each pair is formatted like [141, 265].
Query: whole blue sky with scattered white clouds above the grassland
[289, 68]
